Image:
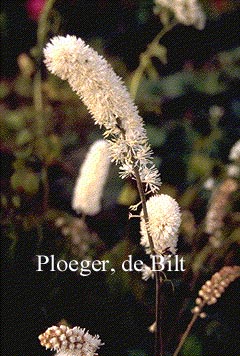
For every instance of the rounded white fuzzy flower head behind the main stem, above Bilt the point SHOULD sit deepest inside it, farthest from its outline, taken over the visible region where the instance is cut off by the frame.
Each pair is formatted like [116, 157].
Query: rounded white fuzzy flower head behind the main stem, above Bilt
[164, 221]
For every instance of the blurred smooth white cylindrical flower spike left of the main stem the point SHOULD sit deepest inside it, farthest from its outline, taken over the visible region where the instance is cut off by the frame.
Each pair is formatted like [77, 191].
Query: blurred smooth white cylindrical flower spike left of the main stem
[93, 173]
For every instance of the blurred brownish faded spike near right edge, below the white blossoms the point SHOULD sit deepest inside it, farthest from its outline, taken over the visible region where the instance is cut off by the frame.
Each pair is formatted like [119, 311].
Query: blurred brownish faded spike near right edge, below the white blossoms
[217, 210]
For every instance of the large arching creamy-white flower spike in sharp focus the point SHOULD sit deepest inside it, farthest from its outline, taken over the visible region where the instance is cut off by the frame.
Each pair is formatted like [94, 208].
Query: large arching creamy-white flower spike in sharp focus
[109, 102]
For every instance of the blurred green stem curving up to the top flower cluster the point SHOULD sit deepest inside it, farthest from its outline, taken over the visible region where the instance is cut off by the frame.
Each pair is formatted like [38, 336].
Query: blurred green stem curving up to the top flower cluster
[138, 73]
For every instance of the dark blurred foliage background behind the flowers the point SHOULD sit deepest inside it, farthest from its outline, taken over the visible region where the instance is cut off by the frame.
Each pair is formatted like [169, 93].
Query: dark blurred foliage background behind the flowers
[189, 100]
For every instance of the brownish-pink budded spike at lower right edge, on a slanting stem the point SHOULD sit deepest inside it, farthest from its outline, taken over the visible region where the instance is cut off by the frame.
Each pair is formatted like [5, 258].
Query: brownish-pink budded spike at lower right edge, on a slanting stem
[214, 288]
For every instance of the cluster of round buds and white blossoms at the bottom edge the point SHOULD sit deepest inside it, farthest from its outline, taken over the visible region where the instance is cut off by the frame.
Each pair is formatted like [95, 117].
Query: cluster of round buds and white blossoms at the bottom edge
[73, 342]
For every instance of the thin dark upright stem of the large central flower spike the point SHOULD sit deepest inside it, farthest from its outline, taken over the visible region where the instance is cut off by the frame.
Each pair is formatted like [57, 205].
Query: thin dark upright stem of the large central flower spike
[158, 309]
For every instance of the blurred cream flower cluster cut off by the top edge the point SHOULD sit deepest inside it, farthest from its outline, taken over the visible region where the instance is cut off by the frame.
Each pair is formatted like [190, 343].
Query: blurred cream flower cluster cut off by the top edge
[187, 12]
